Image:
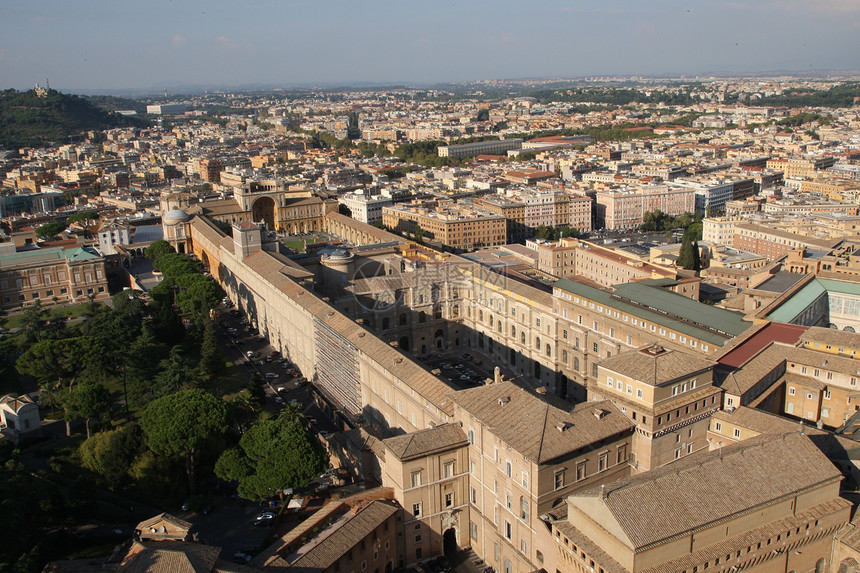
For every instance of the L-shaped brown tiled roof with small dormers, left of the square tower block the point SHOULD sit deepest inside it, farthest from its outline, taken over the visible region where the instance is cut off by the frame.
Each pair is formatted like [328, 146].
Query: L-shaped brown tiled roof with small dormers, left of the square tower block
[538, 426]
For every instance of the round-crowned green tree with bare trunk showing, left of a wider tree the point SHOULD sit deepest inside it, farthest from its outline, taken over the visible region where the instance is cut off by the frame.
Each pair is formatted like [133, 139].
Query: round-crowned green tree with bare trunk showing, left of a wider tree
[181, 423]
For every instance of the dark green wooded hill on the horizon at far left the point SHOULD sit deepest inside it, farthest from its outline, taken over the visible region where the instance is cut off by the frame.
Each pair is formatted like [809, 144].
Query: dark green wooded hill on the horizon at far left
[30, 120]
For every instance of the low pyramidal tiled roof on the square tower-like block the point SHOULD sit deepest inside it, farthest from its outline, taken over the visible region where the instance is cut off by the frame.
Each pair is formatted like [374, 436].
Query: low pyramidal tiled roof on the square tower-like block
[655, 365]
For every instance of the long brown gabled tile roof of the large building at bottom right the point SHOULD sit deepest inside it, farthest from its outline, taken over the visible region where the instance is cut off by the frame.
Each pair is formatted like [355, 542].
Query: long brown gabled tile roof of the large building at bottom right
[765, 468]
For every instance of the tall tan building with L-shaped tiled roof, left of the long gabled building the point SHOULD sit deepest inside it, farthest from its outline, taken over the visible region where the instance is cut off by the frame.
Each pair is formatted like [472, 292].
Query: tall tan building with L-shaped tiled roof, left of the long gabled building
[526, 454]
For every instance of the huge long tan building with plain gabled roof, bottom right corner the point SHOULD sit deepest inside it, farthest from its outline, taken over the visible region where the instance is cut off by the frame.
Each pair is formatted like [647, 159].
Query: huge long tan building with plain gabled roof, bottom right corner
[694, 515]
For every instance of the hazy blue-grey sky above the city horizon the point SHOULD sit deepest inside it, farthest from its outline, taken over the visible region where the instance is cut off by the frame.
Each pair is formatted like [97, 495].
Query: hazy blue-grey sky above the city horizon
[91, 45]
